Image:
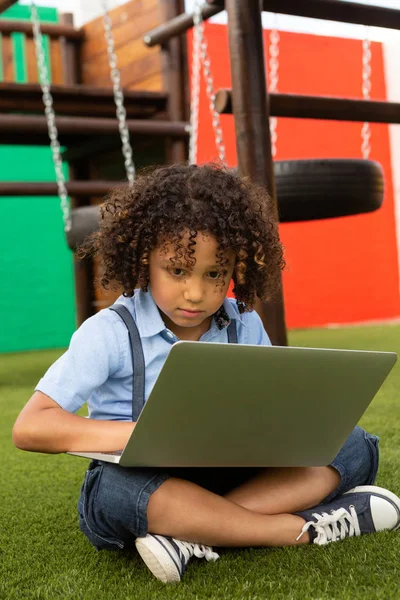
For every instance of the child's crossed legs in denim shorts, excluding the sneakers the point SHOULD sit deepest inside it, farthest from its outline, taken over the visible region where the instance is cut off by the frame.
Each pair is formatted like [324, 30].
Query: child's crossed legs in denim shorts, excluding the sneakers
[114, 501]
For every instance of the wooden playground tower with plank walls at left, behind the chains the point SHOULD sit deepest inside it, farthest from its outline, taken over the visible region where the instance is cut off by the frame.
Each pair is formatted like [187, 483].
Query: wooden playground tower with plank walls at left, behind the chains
[85, 112]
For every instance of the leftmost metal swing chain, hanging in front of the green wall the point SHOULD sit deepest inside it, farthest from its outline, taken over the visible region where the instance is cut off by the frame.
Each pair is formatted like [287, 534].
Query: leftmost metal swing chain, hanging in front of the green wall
[44, 80]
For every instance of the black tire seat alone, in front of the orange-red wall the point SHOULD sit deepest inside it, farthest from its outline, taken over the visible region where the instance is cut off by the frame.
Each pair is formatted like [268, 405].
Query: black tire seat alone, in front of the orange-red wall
[326, 188]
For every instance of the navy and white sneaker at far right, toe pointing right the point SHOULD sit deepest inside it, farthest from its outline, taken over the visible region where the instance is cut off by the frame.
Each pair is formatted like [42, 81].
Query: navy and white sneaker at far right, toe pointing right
[364, 509]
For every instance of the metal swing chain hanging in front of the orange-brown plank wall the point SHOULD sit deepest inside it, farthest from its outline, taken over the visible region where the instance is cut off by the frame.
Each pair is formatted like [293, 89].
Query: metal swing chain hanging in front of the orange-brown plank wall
[118, 95]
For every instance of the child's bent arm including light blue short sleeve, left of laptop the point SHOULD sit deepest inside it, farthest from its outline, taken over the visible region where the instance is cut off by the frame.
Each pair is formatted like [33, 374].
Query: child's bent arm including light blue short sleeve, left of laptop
[48, 422]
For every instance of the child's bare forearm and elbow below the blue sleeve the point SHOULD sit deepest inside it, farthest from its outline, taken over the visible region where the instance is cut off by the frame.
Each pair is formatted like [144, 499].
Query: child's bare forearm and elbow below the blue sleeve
[43, 426]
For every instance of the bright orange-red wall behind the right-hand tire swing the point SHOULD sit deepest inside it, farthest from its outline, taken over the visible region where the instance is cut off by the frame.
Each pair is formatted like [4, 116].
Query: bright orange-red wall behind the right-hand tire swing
[341, 270]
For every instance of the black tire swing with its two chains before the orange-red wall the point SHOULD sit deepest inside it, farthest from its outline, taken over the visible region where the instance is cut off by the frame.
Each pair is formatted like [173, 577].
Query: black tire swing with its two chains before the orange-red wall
[314, 189]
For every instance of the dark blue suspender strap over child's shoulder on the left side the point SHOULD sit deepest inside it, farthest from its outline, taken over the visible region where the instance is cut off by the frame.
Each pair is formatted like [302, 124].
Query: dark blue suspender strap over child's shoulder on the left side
[138, 388]
